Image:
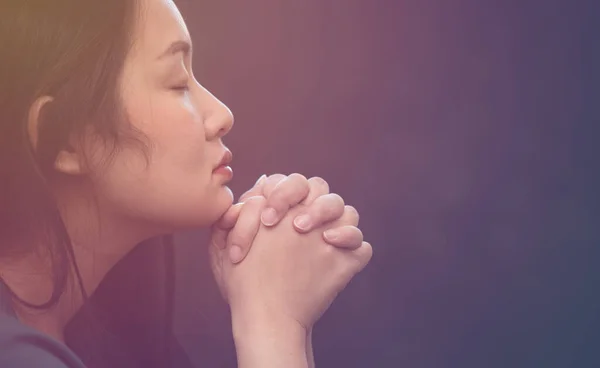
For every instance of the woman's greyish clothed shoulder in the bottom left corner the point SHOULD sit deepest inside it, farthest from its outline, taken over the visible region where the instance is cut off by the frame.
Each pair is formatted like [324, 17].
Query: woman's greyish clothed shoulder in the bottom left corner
[22, 346]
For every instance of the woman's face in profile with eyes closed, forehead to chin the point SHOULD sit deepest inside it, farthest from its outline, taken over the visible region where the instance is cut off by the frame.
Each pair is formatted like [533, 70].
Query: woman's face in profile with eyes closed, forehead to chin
[178, 187]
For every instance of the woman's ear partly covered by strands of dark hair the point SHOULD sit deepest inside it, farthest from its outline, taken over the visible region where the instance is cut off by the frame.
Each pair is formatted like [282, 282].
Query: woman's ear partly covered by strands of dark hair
[68, 160]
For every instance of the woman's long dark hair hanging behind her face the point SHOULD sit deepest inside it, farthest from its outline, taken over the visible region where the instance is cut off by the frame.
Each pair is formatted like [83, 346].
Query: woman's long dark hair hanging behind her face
[73, 51]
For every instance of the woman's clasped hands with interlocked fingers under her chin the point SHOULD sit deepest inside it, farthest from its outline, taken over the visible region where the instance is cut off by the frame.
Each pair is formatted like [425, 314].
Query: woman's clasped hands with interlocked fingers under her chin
[286, 250]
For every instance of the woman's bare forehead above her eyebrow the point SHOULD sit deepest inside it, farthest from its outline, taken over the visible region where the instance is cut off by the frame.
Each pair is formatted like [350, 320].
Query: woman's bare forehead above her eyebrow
[159, 24]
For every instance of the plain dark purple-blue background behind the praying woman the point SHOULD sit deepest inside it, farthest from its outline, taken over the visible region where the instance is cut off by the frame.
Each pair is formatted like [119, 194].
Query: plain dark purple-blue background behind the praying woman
[463, 131]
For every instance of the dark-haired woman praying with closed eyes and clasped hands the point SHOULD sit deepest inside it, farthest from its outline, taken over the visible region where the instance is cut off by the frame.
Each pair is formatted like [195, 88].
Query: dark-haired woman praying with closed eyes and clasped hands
[107, 141]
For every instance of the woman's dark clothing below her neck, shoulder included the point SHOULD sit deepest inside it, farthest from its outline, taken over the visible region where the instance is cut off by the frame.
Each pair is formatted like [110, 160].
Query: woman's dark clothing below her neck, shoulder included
[126, 323]
